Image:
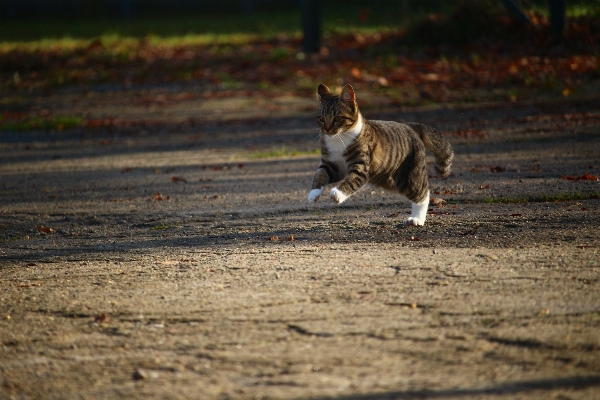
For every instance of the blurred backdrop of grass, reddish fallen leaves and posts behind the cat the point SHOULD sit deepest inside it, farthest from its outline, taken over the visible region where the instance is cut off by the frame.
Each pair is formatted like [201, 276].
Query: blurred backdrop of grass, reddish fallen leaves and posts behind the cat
[397, 52]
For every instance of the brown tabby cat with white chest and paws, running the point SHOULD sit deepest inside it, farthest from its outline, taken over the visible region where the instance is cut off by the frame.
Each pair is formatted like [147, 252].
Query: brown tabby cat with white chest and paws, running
[387, 154]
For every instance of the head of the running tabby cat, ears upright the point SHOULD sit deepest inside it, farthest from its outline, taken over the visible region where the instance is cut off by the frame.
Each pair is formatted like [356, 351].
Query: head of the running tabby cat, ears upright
[337, 113]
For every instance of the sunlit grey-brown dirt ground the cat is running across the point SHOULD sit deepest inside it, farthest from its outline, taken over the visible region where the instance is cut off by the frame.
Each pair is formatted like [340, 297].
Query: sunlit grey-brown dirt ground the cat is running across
[164, 255]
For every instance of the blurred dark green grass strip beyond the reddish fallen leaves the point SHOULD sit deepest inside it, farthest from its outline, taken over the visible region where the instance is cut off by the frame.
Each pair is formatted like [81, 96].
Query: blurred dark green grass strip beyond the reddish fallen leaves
[37, 19]
